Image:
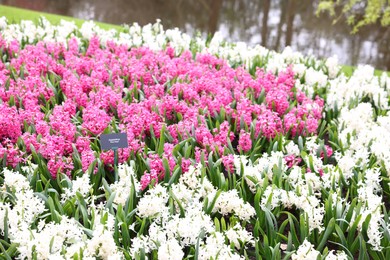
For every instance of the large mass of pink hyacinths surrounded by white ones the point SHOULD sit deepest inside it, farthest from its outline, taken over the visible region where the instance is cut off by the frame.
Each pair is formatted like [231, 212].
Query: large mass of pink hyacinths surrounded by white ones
[64, 98]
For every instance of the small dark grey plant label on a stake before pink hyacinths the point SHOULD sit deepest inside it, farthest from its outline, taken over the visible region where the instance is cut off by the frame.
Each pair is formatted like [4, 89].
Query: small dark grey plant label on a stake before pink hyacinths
[114, 142]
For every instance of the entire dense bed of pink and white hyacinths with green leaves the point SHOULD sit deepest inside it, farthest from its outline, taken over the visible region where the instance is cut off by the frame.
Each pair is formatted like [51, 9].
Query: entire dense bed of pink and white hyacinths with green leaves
[233, 151]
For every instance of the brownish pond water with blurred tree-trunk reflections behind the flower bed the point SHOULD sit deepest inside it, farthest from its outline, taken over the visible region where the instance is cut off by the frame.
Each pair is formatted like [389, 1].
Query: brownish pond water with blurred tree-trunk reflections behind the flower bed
[273, 24]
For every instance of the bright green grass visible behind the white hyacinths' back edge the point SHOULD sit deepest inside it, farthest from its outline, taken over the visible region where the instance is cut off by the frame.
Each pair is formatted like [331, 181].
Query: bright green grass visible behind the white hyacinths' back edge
[15, 15]
